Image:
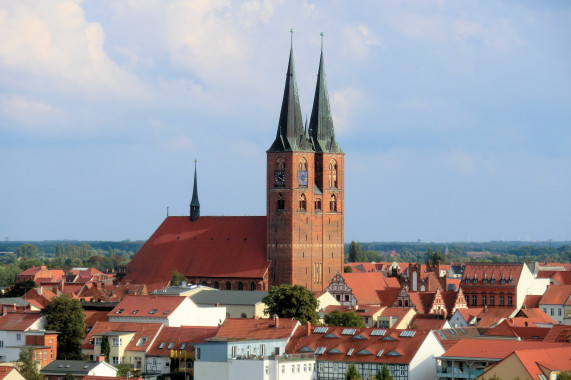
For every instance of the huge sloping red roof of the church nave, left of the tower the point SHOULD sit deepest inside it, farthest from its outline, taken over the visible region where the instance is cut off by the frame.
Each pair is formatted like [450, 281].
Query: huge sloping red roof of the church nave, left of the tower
[211, 246]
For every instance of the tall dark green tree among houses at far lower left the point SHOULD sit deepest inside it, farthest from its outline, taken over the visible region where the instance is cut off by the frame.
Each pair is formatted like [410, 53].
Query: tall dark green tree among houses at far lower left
[65, 314]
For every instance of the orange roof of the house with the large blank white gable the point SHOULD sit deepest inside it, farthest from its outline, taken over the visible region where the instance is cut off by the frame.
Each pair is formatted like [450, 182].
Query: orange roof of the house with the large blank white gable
[147, 306]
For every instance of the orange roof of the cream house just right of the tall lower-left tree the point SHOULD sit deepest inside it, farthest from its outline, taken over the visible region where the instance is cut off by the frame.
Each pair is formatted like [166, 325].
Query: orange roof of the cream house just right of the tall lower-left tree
[141, 330]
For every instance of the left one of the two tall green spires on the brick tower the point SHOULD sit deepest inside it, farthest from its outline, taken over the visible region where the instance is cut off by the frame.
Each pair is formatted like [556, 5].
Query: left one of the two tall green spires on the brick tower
[290, 135]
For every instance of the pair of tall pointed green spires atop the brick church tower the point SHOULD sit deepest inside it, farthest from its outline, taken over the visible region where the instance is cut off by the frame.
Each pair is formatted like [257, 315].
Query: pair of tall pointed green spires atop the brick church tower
[291, 135]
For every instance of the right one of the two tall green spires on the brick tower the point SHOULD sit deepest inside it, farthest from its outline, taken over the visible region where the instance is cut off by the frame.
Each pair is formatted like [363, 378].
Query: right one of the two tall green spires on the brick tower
[321, 128]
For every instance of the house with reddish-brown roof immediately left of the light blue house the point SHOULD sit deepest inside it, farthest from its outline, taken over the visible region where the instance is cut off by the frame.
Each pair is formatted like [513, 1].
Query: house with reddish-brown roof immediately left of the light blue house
[173, 349]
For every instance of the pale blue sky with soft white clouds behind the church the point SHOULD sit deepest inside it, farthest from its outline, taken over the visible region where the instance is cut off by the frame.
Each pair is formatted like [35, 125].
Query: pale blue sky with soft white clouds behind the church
[454, 116]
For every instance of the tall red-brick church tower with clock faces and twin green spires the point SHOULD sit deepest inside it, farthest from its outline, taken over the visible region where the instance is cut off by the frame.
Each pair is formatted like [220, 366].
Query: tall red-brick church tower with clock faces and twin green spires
[304, 192]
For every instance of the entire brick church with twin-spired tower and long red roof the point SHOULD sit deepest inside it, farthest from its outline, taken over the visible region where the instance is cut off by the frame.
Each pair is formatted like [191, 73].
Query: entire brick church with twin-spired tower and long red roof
[299, 241]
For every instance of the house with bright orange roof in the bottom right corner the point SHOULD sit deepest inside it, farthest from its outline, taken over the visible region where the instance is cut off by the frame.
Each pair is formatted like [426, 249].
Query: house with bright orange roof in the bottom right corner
[536, 364]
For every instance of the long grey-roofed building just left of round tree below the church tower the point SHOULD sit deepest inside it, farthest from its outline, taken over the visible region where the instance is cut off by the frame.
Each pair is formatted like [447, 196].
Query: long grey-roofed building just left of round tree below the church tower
[238, 304]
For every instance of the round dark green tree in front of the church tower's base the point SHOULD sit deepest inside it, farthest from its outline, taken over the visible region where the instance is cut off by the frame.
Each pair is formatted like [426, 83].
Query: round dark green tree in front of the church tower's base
[292, 301]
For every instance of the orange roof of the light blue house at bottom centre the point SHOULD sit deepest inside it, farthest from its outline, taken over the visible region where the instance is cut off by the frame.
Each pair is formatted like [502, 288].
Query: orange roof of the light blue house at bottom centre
[245, 328]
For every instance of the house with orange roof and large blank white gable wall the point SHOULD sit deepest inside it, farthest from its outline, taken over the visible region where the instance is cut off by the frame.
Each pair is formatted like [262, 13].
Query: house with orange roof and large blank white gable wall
[170, 311]
